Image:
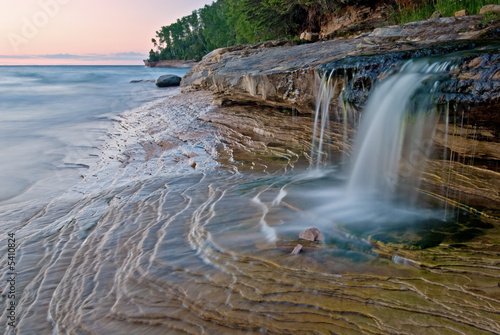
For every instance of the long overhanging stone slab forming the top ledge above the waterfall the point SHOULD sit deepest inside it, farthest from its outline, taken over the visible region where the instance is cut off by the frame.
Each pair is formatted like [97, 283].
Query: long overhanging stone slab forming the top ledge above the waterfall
[287, 75]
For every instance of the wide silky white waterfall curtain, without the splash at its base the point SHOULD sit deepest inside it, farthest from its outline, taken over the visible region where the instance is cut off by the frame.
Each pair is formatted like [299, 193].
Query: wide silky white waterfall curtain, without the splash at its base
[395, 136]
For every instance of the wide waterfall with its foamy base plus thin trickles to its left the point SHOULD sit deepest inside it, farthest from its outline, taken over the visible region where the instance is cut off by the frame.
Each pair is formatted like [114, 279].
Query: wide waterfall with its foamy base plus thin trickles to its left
[391, 148]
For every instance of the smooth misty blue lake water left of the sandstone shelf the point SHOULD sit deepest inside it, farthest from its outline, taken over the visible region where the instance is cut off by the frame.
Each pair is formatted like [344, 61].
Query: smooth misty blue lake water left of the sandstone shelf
[53, 117]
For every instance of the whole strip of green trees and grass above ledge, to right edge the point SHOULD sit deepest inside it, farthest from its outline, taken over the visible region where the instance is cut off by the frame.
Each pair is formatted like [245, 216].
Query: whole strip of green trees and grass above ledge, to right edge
[227, 23]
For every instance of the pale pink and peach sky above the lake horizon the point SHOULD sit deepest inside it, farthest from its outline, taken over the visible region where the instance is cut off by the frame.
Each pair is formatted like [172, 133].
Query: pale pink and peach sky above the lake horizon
[46, 32]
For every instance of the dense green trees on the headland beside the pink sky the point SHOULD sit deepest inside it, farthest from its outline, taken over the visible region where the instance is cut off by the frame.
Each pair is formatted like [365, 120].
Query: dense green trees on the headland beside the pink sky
[230, 22]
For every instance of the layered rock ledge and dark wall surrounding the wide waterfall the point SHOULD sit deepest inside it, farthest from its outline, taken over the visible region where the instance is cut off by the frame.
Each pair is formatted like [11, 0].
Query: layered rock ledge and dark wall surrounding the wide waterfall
[287, 76]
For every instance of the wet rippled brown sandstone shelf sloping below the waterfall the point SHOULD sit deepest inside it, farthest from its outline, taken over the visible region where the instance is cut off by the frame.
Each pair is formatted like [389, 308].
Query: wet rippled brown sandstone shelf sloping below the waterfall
[182, 251]
